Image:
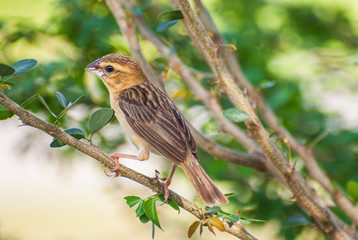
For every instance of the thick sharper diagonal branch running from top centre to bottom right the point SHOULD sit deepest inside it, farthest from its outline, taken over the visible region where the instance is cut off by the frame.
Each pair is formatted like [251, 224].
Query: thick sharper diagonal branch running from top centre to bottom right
[210, 52]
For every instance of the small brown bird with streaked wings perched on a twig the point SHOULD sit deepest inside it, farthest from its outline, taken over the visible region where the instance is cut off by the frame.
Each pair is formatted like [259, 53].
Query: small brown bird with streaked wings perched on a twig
[153, 123]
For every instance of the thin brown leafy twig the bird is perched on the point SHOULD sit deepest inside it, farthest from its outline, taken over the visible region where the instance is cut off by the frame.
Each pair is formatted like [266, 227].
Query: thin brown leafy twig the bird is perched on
[29, 119]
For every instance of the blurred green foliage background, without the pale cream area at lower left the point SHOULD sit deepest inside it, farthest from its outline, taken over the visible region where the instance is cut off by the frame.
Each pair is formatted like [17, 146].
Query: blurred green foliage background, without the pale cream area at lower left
[308, 49]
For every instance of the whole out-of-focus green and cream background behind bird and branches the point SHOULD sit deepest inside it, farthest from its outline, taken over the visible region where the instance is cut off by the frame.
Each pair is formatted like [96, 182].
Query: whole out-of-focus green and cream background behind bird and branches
[302, 54]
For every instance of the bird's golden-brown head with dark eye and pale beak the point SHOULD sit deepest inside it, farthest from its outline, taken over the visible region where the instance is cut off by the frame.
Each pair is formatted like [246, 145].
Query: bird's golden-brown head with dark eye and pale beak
[117, 72]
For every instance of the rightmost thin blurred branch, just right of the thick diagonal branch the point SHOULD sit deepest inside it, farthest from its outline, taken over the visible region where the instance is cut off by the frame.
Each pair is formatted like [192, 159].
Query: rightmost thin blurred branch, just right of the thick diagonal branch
[304, 152]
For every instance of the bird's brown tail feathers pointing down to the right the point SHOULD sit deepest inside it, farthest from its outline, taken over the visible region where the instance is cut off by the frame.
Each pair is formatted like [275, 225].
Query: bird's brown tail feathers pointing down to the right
[204, 186]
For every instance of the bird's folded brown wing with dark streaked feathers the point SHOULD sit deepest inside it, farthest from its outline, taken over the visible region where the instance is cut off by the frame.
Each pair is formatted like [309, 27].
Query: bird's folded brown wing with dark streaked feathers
[152, 115]
